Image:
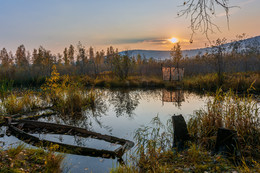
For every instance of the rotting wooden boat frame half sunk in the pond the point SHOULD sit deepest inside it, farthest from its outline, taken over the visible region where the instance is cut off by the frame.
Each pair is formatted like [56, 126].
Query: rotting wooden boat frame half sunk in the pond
[28, 125]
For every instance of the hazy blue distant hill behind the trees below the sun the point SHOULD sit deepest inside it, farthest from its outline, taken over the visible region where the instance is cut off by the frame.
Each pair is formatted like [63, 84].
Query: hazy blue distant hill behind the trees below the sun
[162, 55]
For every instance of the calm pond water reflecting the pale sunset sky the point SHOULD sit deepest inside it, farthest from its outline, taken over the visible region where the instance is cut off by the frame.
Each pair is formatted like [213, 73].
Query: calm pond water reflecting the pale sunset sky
[118, 113]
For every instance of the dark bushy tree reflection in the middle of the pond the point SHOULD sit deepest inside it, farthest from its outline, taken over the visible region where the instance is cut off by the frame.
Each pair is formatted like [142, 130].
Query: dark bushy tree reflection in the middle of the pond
[124, 102]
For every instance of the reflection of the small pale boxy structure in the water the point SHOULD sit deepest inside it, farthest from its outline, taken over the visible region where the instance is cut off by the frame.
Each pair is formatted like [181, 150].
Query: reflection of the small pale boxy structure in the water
[176, 97]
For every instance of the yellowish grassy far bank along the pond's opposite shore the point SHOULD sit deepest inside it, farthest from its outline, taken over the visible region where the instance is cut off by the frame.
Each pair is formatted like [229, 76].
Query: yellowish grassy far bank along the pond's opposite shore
[238, 82]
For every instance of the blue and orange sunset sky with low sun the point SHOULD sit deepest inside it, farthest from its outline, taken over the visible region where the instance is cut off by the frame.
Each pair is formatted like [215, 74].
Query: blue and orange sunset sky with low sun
[125, 24]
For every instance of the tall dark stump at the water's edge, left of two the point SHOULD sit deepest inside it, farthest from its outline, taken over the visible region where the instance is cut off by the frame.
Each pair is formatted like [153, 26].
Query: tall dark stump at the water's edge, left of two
[181, 135]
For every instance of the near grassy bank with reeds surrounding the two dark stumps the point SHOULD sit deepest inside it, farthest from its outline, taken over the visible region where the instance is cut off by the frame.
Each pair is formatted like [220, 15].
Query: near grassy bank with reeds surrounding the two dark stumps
[154, 152]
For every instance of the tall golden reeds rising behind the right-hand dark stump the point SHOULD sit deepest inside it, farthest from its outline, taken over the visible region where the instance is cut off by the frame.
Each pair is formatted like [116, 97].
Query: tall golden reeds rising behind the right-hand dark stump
[231, 111]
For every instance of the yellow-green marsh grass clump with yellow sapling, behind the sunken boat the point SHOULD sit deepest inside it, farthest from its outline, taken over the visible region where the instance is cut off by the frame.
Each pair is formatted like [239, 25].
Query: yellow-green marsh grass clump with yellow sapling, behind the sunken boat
[67, 96]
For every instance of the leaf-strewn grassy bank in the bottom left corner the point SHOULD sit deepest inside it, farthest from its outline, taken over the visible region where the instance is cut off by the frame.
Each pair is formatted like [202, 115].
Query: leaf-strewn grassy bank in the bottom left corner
[21, 159]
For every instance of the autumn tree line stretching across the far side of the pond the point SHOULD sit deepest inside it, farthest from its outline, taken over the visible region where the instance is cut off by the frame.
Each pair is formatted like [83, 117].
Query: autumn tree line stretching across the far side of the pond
[24, 67]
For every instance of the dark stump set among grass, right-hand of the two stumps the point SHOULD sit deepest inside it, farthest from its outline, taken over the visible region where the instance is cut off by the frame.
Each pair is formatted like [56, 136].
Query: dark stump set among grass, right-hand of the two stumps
[227, 144]
